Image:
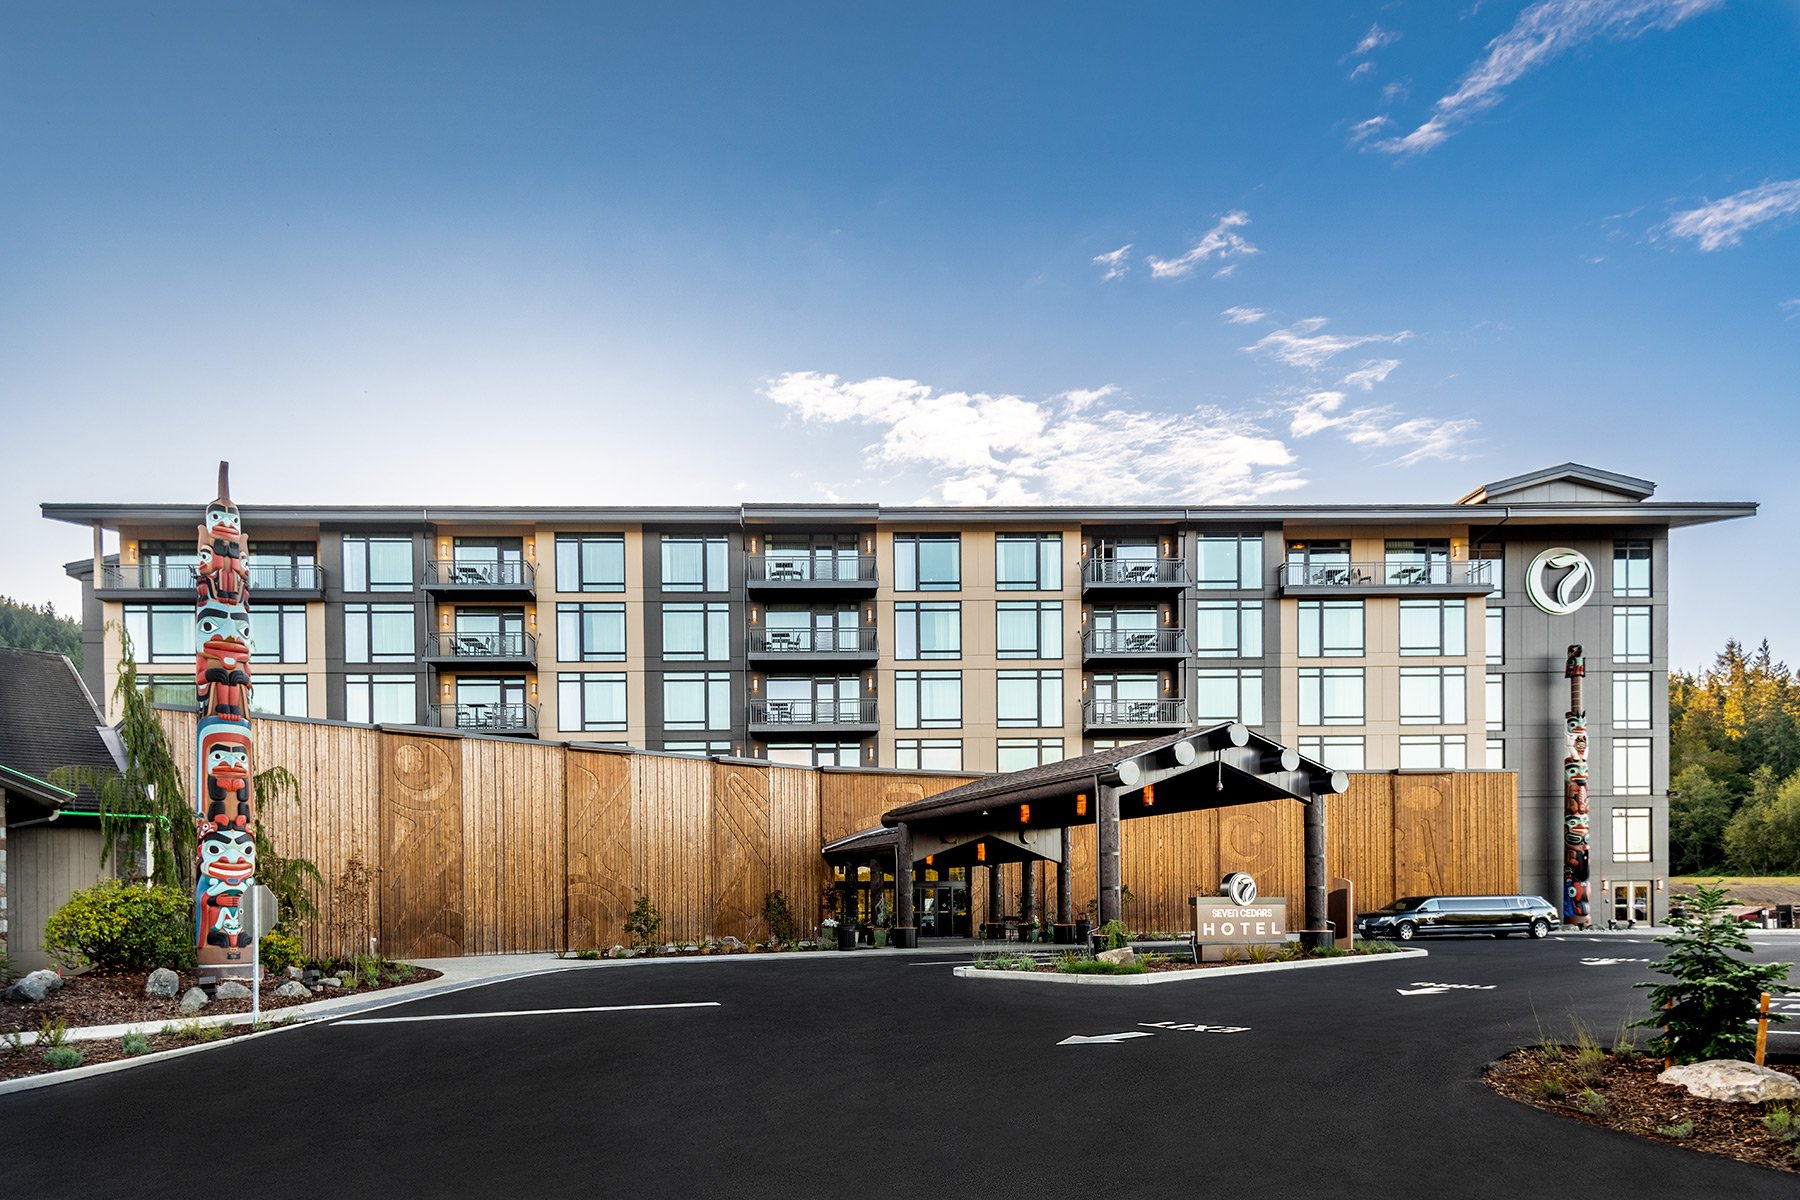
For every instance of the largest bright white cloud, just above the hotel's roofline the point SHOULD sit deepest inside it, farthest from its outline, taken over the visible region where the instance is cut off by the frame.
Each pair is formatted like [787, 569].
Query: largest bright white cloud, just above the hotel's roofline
[1075, 447]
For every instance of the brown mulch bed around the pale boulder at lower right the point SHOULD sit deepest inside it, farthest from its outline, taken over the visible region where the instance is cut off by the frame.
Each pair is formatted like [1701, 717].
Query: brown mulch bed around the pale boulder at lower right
[1639, 1106]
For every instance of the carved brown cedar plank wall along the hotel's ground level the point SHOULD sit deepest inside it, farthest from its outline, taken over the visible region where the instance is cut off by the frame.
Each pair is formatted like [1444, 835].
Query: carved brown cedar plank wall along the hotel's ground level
[481, 846]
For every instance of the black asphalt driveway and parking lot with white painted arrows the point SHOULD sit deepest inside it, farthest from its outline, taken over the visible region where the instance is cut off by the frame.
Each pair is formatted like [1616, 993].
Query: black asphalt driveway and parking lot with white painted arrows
[879, 1075]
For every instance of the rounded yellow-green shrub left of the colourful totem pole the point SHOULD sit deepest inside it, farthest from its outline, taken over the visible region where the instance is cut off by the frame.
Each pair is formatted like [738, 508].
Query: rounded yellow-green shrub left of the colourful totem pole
[114, 927]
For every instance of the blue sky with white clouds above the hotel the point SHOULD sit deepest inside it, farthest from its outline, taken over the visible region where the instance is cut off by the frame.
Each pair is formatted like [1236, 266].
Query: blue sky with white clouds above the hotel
[913, 253]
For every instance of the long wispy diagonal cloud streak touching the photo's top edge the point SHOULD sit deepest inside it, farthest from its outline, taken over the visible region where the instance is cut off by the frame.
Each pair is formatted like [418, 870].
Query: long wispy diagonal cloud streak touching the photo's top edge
[1540, 35]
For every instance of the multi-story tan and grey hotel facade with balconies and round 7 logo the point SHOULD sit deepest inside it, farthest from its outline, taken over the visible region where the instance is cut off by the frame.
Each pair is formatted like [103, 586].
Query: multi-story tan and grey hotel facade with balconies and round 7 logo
[1371, 638]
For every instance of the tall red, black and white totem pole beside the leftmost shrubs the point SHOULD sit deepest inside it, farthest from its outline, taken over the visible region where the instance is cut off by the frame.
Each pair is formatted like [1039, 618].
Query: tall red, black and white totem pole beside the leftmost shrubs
[224, 805]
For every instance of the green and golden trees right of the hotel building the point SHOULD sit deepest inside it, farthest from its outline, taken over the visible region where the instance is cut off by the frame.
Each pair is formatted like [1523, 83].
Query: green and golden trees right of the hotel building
[1734, 766]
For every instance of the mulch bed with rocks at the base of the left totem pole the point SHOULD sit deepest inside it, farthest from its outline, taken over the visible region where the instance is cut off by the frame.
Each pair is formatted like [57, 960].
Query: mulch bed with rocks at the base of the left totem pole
[118, 999]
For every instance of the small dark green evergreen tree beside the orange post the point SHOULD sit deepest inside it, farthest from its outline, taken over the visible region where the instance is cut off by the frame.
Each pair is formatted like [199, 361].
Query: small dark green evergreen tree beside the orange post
[1714, 996]
